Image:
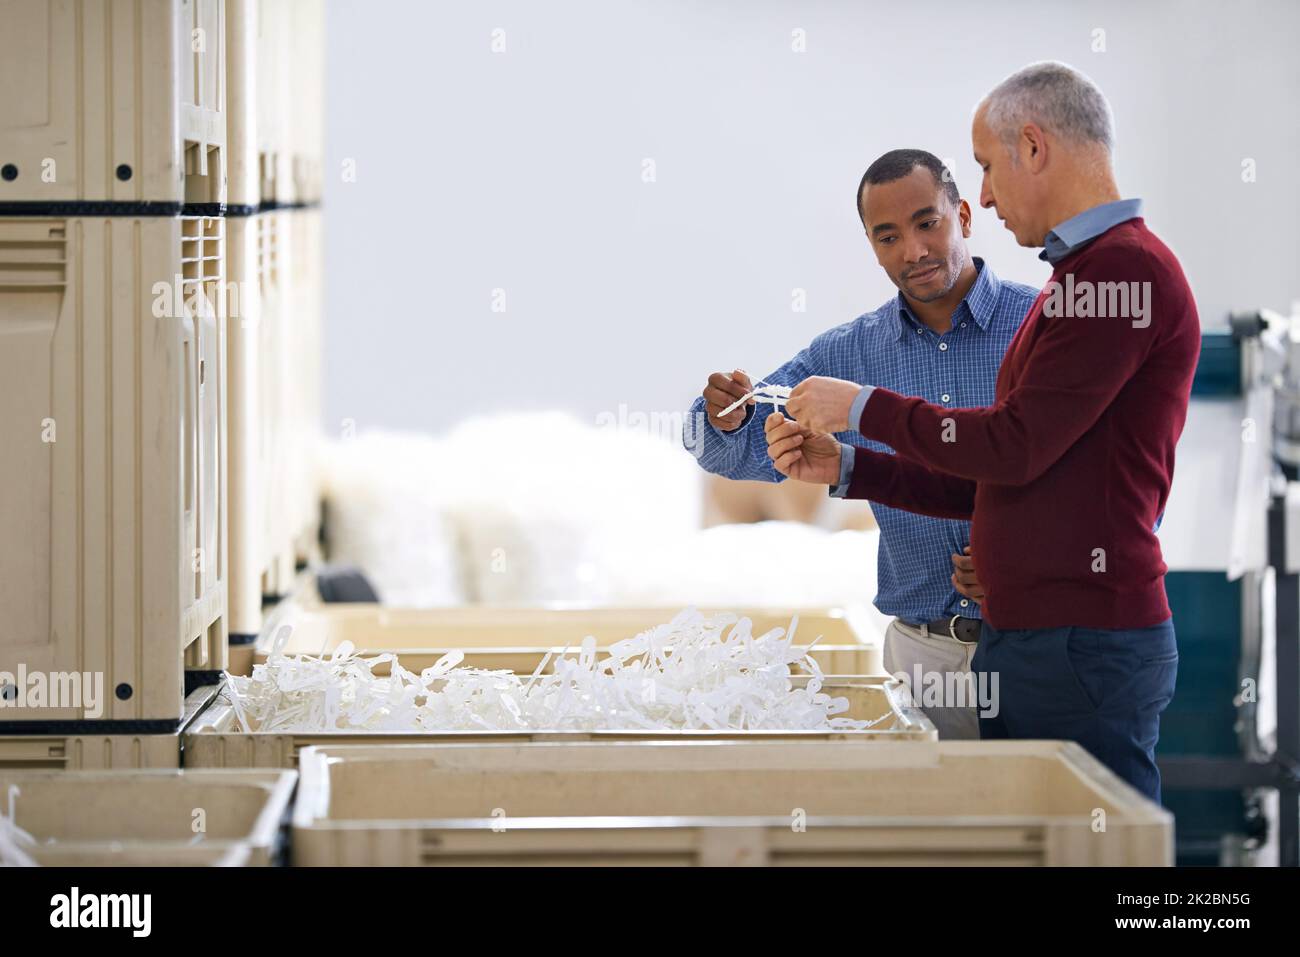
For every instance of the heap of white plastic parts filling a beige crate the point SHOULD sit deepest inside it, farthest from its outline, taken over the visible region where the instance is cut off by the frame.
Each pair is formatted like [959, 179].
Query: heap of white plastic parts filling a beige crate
[694, 673]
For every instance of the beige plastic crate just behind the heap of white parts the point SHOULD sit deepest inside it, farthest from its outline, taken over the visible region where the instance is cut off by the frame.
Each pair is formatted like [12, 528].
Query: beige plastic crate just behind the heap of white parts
[518, 639]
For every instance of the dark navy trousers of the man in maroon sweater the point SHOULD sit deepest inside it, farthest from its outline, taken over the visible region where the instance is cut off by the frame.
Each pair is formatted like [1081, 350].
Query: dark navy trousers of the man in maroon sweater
[1102, 688]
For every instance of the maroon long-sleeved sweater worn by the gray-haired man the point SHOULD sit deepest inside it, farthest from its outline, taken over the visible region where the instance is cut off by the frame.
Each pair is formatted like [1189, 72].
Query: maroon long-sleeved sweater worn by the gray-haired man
[1065, 474]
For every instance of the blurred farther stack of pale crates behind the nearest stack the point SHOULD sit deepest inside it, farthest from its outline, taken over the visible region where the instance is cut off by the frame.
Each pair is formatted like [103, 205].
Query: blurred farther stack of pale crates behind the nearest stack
[274, 224]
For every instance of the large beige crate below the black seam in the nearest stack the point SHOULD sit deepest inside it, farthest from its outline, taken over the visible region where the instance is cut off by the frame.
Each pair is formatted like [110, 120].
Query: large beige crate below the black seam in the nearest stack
[112, 540]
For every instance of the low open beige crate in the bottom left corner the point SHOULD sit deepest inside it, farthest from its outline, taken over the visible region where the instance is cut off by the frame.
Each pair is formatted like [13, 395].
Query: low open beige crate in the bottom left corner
[131, 819]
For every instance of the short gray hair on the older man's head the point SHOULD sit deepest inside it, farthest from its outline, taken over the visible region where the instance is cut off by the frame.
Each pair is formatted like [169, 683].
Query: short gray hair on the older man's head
[1058, 98]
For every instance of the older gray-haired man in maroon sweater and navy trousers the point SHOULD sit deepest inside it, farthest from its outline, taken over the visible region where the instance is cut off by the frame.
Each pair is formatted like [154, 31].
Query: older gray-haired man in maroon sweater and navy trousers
[1067, 475]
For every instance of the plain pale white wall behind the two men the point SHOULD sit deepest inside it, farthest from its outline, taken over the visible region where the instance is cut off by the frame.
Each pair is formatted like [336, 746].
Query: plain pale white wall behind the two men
[522, 171]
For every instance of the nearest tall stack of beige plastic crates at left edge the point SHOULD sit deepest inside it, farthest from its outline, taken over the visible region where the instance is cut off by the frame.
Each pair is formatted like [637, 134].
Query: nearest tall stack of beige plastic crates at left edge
[112, 357]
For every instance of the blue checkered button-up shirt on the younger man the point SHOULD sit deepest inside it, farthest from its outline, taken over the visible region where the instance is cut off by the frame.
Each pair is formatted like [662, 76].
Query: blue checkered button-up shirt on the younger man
[891, 349]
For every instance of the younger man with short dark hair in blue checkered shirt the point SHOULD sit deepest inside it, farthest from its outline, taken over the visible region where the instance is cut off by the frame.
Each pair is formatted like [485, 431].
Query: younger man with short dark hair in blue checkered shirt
[942, 339]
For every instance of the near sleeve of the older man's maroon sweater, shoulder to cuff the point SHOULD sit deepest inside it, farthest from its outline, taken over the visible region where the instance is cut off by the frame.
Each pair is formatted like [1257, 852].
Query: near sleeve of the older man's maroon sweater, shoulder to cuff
[1077, 367]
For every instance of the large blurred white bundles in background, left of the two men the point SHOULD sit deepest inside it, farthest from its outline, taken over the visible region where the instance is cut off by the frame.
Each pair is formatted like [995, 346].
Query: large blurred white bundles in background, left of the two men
[508, 509]
